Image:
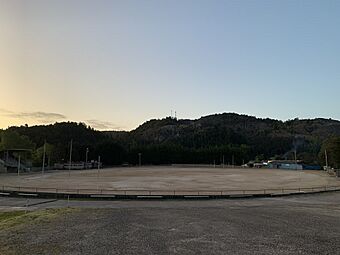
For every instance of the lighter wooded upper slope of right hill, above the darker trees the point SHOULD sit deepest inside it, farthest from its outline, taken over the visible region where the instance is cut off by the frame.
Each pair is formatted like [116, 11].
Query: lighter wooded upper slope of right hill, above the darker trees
[232, 128]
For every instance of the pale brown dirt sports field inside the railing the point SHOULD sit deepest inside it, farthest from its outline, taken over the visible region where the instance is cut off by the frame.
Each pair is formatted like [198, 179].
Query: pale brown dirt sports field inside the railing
[172, 178]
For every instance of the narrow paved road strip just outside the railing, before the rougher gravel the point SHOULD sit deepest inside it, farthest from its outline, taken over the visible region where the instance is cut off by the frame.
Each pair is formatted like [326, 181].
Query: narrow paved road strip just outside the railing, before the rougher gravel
[325, 200]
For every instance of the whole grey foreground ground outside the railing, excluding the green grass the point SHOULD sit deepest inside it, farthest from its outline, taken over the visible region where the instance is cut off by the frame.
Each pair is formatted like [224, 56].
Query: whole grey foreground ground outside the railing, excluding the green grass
[292, 225]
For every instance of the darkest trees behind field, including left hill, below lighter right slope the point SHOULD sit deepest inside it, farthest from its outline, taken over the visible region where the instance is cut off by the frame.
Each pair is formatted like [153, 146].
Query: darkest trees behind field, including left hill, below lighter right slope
[163, 143]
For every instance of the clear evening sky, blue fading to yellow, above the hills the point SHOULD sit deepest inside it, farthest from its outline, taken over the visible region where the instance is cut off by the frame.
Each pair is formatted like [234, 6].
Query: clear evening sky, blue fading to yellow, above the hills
[116, 64]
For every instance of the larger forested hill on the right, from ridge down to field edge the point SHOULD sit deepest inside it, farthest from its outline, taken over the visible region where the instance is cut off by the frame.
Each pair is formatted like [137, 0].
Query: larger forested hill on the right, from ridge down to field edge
[244, 137]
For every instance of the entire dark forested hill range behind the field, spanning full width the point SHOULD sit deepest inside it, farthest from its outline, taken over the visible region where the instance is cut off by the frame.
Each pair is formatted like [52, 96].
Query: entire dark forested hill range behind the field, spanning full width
[238, 138]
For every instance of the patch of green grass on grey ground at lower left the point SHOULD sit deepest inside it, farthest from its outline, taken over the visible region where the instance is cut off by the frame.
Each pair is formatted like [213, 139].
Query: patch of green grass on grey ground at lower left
[15, 218]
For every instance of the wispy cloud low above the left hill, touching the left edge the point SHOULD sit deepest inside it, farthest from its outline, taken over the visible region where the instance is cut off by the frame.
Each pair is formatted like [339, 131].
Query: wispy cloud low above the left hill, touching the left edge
[35, 116]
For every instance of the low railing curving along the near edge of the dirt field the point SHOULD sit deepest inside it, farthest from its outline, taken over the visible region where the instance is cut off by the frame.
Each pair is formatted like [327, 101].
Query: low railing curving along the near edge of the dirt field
[140, 193]
